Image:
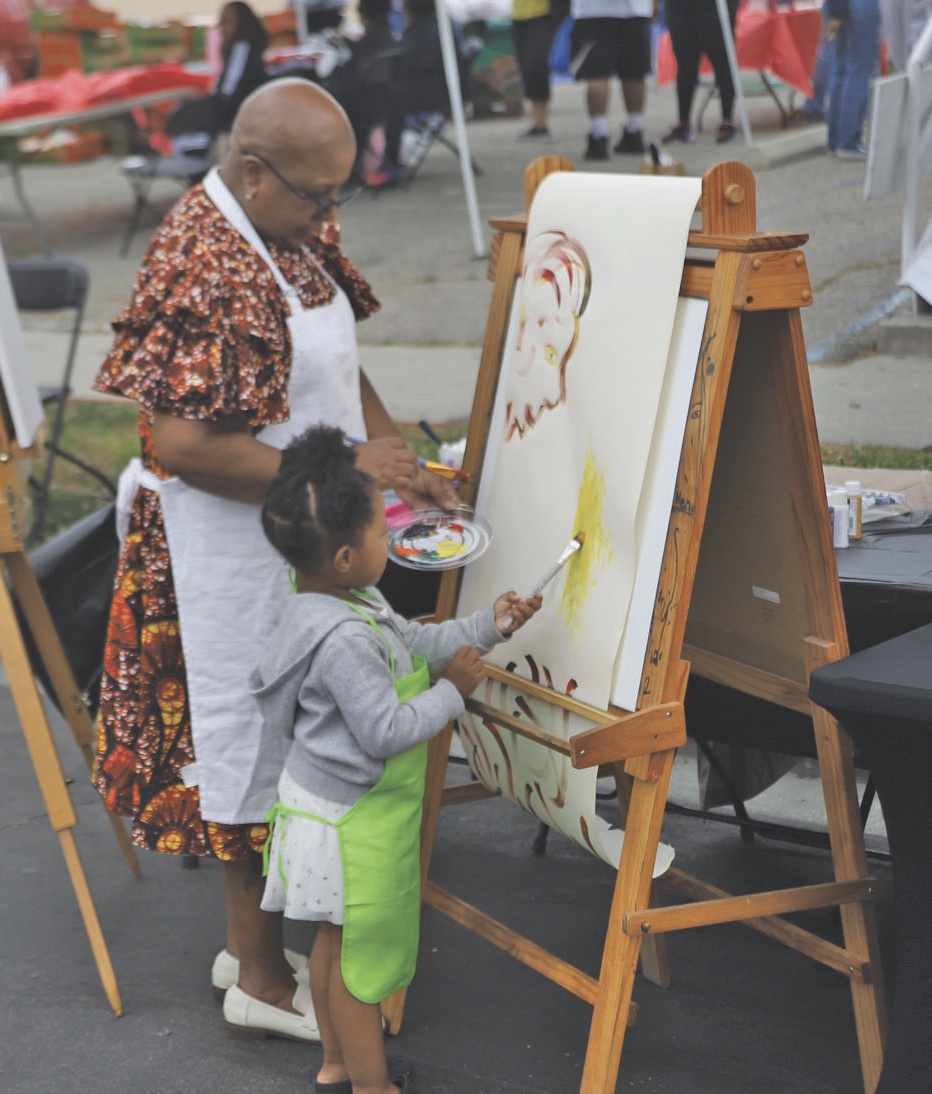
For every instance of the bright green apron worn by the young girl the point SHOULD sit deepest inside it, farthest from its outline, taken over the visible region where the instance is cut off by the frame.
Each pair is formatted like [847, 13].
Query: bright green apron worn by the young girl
[380, 849]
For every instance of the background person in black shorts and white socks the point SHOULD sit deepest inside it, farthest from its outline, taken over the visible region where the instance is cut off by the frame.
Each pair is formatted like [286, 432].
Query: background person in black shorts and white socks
[610, 39]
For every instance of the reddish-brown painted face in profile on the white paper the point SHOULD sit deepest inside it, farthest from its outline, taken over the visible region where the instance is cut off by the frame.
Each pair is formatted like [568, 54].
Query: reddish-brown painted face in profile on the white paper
[555, 293]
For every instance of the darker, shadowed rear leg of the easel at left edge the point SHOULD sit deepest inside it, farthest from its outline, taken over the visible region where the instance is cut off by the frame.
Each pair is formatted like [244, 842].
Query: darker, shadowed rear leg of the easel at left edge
[71, 701]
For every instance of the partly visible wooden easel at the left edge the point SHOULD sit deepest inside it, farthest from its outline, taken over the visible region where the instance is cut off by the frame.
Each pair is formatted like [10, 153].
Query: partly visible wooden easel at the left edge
[33, 719]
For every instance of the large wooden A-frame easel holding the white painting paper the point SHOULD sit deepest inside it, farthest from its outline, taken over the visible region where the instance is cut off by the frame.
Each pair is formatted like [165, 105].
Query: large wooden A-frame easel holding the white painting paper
[749, 526]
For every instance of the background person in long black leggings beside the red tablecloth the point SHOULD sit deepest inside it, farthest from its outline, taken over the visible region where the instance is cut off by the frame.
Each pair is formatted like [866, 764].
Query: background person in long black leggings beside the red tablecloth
[695, 30]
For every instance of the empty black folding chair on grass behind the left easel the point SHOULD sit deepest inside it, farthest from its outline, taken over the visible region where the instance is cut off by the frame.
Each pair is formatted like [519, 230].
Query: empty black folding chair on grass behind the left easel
[51, 285]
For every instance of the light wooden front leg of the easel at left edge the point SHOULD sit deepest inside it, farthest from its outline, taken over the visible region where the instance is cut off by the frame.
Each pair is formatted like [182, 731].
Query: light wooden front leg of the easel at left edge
[48, 766]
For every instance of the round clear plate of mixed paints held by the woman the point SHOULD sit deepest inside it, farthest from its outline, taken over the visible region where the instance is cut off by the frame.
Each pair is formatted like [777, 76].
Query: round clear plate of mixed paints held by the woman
[437, 540]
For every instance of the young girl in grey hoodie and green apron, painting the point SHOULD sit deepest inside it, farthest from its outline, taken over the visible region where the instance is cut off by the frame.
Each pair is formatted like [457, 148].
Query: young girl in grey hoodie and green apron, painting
[345, 689]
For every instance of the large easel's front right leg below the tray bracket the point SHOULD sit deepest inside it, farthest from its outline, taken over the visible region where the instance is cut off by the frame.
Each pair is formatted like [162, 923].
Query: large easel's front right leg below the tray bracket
[633, 890]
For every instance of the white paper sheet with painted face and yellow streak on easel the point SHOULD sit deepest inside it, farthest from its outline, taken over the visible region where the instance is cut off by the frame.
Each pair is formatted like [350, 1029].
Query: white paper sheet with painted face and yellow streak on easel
[585, 371]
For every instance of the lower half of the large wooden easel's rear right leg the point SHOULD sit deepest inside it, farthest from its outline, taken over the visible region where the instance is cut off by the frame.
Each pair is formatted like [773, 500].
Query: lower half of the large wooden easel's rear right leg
[858, 921]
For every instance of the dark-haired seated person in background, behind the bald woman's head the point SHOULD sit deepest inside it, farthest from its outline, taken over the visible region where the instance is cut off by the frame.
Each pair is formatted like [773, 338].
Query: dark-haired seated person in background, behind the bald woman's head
[197, 124]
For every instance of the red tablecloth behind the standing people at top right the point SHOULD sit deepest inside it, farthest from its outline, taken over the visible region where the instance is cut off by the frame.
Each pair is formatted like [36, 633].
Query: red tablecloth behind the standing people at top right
[785, 43]
